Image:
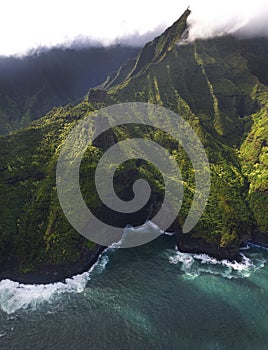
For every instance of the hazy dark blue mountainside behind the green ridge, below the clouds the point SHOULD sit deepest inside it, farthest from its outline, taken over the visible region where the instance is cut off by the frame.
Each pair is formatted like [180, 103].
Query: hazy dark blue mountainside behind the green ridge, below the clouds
[31, 85]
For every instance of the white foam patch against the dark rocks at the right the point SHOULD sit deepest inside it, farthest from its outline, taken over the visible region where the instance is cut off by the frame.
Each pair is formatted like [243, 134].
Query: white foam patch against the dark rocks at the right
[193, 265]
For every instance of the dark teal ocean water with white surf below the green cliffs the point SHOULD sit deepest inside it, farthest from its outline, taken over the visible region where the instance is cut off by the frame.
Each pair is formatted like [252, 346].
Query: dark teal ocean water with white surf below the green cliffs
[150, 297]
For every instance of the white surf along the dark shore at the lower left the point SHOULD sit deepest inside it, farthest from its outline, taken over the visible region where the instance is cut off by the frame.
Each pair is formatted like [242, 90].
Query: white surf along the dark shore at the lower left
[15, 296]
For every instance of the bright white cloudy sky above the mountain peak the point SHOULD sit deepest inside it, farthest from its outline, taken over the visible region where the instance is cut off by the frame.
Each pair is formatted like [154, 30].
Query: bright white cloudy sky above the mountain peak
[30, 24]
